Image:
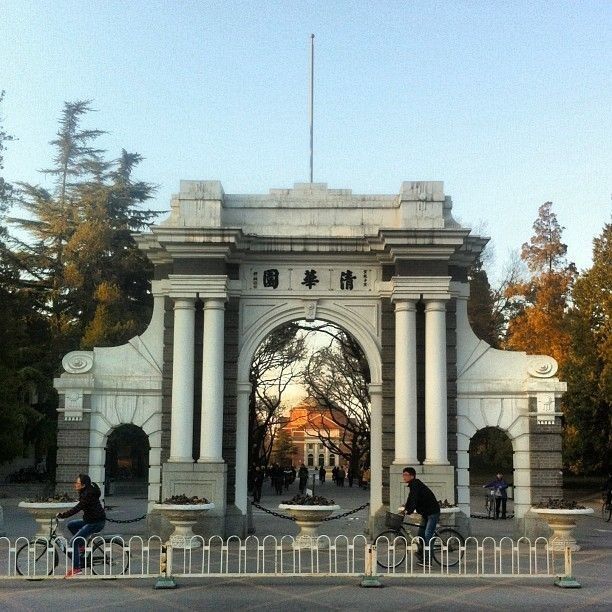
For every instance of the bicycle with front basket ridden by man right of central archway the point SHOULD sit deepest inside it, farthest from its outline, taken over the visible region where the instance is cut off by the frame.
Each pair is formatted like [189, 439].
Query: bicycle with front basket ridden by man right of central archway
[447, 545]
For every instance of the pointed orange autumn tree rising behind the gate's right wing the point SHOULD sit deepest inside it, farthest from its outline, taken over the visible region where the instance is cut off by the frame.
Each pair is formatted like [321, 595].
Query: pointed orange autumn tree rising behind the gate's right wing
[540, 303]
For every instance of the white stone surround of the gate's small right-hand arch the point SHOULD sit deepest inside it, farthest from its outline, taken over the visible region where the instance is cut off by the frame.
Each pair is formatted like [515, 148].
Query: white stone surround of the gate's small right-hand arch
[508, 414]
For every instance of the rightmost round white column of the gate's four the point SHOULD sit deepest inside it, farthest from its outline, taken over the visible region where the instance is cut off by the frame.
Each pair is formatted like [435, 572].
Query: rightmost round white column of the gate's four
[435, 383]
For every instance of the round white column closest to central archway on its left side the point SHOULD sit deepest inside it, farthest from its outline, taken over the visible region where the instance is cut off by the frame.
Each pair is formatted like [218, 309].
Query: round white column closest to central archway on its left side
[211, 432]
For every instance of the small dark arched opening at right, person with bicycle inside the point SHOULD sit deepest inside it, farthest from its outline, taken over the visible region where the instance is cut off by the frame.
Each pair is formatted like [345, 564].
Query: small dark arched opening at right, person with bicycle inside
[490, 454]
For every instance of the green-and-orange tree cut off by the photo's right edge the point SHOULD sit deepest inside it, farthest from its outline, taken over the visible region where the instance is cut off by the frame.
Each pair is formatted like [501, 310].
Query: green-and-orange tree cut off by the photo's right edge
[588, 368]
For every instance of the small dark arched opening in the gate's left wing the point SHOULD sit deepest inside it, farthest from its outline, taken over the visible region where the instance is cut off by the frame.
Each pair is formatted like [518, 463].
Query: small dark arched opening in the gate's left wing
[127, 460]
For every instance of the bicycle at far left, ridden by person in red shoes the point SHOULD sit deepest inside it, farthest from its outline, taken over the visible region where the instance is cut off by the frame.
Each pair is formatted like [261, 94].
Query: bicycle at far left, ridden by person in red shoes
[41, 556]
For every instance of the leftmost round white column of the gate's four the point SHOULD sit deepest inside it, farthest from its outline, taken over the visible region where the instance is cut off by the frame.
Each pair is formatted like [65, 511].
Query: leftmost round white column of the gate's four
[181, 424]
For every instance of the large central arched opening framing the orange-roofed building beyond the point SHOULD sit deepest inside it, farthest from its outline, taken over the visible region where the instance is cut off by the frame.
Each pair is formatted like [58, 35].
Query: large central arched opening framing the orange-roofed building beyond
[310, 407]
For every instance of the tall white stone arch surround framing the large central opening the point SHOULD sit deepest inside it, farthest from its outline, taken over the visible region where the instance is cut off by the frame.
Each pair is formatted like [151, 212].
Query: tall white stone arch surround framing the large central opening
[361, 320]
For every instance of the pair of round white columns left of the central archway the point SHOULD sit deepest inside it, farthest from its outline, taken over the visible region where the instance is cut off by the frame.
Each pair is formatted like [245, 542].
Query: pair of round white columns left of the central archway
[211, 429]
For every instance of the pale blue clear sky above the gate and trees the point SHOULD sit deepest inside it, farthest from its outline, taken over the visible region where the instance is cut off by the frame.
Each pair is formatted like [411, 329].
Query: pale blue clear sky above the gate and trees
[508, 103]
